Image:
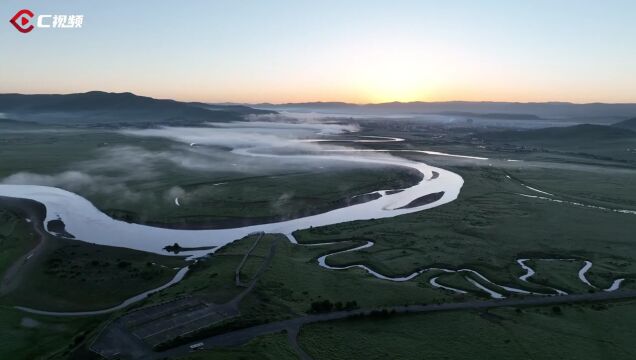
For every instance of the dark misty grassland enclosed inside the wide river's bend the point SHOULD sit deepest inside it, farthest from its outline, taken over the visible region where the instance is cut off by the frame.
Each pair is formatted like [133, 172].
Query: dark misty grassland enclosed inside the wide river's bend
[242, 200]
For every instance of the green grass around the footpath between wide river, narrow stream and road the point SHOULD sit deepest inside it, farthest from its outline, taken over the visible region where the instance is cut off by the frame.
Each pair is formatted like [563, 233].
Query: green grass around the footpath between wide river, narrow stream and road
[291, 283]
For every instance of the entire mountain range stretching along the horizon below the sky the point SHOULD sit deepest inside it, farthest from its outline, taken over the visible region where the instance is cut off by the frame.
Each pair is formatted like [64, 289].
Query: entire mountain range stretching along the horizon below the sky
[98, 108]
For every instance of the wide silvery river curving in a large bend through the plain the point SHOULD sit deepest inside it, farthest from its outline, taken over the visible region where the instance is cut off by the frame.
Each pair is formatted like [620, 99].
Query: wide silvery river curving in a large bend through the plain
[87, 223]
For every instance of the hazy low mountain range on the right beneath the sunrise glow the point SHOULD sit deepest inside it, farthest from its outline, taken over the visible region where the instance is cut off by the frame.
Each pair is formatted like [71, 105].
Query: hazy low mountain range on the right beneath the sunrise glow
[468, 108]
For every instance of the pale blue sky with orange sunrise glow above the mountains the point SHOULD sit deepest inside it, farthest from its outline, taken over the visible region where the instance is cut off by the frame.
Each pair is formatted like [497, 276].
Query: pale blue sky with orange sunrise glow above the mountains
[253, 51]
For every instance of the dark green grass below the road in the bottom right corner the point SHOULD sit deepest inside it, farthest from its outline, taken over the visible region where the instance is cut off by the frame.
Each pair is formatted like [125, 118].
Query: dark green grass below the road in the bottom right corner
[565, 332]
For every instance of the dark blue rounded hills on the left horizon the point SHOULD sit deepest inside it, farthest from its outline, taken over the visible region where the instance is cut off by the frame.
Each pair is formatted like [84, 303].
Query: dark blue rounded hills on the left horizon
[98, 108]
